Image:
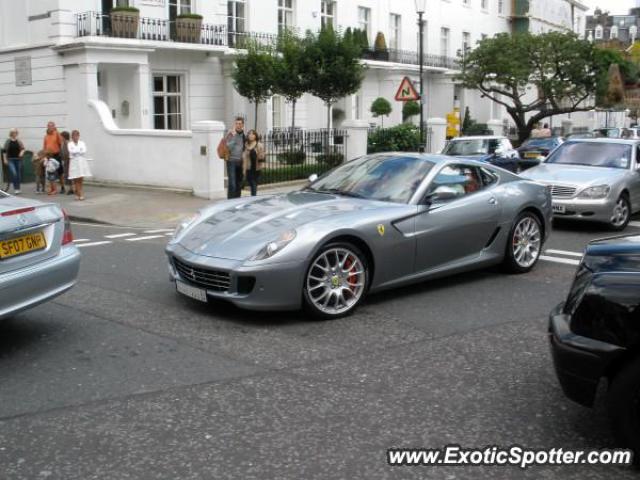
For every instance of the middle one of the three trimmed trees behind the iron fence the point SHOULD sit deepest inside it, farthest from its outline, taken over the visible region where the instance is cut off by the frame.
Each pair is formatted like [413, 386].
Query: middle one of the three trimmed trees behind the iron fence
[289, 78]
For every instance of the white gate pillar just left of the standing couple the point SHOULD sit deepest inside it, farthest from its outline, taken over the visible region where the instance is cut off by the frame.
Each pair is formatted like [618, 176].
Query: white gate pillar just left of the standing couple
[208, 168]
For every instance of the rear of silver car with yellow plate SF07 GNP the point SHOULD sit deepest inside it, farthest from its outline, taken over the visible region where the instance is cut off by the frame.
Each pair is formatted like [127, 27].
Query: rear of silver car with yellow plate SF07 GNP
[38, 260]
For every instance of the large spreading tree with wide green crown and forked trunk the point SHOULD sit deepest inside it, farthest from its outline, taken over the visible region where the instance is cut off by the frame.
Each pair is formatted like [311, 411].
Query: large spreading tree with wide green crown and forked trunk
[534, 76]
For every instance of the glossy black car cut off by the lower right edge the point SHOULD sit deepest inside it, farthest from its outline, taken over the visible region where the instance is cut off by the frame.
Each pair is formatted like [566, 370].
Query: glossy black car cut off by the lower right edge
[595, 334]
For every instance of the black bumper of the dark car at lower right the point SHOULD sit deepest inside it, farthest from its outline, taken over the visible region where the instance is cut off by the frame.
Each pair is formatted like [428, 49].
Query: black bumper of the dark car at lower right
[579, 362]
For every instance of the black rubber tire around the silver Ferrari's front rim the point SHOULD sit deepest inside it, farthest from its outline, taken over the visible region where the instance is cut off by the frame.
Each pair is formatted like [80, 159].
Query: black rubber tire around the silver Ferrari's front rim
[308, 299]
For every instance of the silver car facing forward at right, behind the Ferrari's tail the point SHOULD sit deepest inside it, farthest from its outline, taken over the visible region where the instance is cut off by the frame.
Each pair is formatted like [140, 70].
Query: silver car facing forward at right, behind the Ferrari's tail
[593, 179]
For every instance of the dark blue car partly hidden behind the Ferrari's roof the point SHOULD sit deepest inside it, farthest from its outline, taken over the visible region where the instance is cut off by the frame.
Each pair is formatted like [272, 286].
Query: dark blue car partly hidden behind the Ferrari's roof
[496, 150]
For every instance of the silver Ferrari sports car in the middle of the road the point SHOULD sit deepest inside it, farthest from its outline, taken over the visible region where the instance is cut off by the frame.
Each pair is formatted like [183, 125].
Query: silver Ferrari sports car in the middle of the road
[374, 223]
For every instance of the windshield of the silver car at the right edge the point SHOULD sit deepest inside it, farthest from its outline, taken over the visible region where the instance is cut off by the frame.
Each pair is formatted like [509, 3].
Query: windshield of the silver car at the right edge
[592, 154]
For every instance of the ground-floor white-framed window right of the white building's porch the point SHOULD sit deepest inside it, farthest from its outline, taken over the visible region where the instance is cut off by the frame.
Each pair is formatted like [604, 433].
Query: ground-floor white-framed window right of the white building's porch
[167, 102]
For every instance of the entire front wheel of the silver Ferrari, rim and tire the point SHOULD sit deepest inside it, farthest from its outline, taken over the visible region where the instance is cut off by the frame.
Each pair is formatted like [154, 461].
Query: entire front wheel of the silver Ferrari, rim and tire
[336, 281]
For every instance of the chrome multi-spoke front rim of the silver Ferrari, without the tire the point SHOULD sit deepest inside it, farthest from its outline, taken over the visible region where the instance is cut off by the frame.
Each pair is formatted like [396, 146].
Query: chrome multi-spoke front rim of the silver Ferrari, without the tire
[336, 281]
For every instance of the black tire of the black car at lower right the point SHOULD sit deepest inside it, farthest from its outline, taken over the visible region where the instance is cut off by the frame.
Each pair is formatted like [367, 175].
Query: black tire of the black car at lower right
[623, 406]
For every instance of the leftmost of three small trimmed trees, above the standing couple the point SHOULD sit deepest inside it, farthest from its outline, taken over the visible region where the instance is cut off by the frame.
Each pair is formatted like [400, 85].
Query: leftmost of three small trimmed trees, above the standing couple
[253, 75]
